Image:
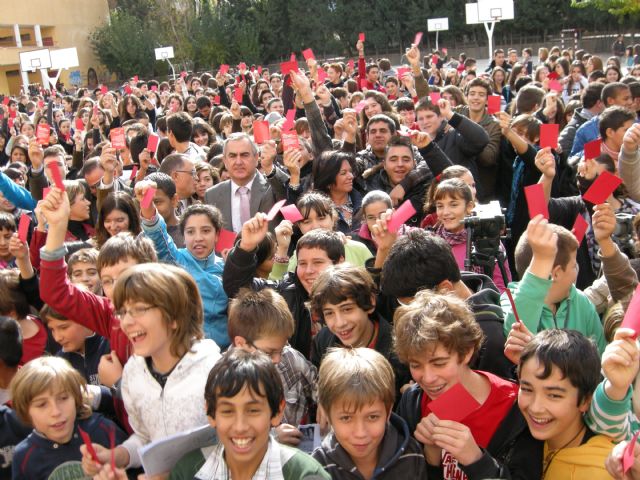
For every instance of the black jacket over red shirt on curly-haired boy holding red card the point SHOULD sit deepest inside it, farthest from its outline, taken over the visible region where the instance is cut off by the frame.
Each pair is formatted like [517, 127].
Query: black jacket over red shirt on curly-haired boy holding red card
[512, 452]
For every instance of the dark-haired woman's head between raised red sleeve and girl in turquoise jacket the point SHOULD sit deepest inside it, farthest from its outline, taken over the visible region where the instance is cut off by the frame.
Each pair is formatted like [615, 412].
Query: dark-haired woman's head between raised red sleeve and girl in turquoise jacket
[117, 213]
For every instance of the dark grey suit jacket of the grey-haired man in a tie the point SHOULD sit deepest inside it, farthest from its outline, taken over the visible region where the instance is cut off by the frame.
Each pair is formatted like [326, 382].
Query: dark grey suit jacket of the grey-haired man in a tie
[265, 192]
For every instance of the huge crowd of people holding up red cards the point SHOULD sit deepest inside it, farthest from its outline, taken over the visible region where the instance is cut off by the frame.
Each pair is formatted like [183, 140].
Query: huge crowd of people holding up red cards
[260, 250]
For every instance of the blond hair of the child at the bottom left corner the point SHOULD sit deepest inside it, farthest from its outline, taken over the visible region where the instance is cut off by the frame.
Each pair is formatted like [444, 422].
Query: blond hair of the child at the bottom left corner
[47, 374]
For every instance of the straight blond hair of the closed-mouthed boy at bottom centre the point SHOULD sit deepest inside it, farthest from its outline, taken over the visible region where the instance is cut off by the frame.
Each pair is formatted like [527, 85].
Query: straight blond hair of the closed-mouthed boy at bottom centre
[356, 376]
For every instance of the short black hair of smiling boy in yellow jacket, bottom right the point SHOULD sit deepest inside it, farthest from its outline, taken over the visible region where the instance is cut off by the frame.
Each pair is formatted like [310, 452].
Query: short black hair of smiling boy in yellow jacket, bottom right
[575, 355]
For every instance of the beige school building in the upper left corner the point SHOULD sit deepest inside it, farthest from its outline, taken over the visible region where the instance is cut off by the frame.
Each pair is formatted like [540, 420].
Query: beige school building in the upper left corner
[27, 25]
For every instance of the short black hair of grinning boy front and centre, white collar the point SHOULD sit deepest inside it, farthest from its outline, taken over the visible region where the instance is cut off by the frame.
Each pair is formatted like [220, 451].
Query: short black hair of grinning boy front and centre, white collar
[238, 369]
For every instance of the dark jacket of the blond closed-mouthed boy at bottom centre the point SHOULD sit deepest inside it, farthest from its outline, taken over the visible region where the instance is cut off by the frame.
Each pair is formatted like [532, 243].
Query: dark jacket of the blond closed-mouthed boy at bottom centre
[400, 456]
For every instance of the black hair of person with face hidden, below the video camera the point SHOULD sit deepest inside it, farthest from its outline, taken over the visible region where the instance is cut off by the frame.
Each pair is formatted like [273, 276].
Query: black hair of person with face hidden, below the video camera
[418, 260]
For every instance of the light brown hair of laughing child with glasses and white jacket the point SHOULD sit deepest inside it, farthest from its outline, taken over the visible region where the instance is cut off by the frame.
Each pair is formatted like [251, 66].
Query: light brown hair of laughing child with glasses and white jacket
[169, 289]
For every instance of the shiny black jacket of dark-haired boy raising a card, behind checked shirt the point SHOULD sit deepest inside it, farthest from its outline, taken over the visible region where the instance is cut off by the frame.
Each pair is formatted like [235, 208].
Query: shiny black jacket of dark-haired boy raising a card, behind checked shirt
[239, 271]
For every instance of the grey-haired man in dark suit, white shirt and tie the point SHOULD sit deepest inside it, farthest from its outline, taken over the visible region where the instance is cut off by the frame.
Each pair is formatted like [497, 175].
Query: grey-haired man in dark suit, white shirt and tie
[248, 191]
